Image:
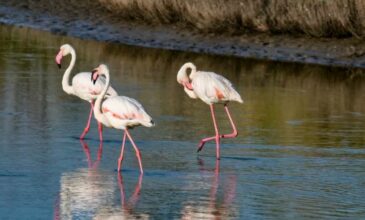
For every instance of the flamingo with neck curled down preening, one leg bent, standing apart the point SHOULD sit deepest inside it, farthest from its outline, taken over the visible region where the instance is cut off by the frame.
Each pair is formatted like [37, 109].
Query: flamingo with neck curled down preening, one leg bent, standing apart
[211, 88]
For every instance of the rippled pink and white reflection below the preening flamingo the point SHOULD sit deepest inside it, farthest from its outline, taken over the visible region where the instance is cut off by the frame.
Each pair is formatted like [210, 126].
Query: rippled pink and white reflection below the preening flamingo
[215, 208]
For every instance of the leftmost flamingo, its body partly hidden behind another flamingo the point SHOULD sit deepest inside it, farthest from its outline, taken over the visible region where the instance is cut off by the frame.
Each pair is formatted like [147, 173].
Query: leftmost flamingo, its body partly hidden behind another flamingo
[81, 85]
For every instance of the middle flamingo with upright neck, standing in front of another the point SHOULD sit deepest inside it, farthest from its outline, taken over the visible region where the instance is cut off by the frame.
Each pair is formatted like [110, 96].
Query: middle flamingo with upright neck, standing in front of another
[119, 112]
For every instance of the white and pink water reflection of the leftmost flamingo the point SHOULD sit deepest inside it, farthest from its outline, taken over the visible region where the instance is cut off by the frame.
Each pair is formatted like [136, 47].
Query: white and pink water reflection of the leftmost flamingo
[84, 190]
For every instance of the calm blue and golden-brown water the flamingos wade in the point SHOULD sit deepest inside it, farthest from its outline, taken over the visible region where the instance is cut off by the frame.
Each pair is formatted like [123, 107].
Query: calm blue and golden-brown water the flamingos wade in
[299, 154]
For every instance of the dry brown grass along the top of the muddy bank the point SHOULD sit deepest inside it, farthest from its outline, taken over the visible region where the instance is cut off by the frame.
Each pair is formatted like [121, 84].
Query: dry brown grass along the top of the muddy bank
[318, 18]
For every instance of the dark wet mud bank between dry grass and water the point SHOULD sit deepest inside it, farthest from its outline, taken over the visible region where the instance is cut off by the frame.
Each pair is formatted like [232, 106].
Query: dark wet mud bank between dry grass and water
[90, 20]
